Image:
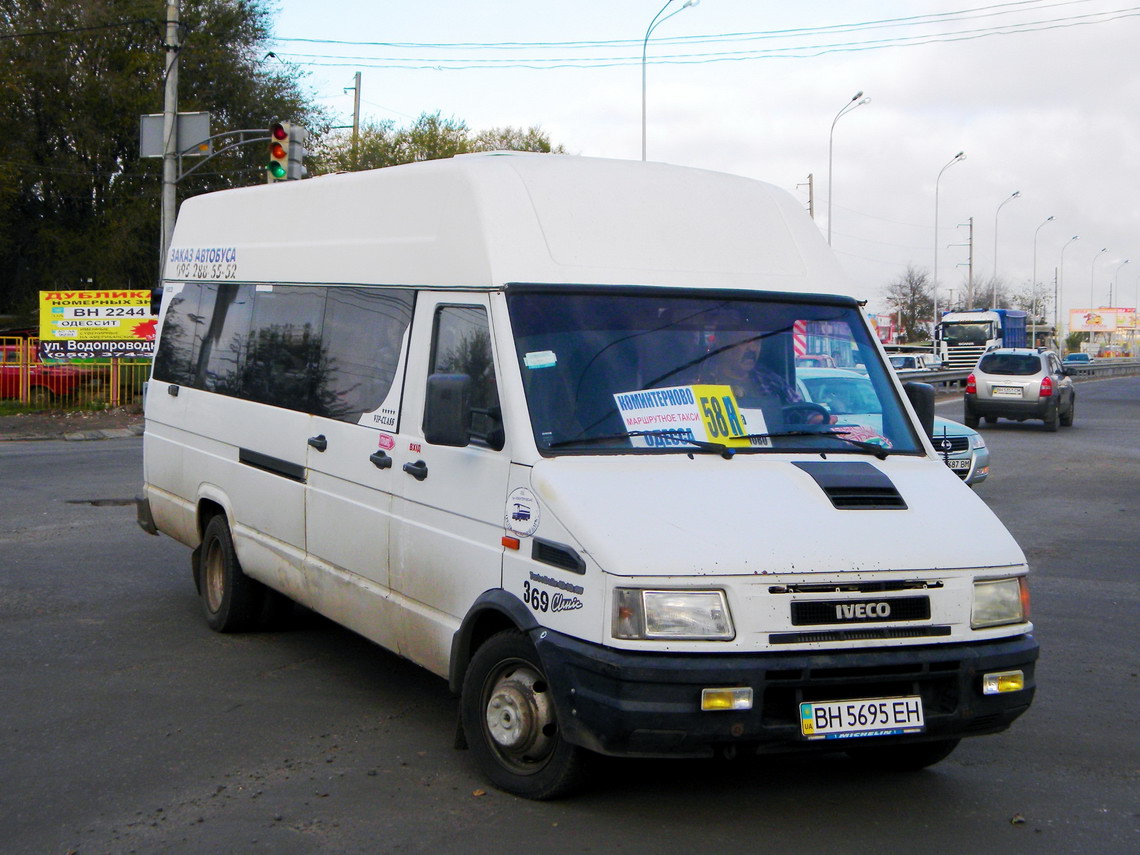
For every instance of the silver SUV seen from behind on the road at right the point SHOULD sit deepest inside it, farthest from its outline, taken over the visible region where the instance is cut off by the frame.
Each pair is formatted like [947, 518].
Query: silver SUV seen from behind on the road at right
[1021, 384]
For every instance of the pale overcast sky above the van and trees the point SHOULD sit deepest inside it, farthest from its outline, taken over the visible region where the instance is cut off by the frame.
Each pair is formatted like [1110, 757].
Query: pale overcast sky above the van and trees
[1044, 97]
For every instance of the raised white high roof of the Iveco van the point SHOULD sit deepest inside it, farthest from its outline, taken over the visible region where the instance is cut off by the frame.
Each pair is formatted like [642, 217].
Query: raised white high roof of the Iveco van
[487, 221]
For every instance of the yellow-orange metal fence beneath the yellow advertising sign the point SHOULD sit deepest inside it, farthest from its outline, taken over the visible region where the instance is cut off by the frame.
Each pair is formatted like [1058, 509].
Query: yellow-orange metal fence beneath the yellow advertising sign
[31, 384]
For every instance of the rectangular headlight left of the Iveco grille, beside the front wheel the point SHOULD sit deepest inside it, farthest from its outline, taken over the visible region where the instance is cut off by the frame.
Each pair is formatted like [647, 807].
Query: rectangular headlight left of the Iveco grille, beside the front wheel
[693, 615]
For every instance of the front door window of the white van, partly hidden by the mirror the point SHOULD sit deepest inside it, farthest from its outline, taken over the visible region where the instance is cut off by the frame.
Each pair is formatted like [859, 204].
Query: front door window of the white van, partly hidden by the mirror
[462, 345]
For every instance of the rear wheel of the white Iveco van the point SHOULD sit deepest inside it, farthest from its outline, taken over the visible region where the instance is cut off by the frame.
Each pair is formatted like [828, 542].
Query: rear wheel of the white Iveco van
[231, 600]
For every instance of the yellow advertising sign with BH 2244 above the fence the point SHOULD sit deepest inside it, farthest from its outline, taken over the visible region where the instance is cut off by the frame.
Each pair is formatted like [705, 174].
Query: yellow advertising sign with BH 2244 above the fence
[96, 324]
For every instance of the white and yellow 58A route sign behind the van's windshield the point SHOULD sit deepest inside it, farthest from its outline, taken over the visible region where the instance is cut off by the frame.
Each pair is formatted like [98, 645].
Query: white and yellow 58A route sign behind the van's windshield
[679, 416]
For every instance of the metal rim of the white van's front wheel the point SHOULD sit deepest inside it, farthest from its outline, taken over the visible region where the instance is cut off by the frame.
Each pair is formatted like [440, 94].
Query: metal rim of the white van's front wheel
[519, 716]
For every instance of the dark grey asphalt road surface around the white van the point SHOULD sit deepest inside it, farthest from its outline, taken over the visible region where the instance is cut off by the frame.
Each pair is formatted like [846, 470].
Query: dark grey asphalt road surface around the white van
[128, 727]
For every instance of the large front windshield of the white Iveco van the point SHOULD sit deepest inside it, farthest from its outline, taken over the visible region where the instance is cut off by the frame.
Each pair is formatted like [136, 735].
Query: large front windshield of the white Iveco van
[655, 370]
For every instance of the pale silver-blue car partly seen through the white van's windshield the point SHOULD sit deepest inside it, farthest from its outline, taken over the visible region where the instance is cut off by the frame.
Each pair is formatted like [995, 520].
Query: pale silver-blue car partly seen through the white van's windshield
[850, 395]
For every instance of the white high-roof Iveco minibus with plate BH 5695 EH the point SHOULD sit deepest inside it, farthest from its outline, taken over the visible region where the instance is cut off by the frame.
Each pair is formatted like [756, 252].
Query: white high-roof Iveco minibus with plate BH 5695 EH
[467, 410]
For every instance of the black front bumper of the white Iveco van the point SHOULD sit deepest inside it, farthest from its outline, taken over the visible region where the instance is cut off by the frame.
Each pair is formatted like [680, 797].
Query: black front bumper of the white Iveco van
[648, 705]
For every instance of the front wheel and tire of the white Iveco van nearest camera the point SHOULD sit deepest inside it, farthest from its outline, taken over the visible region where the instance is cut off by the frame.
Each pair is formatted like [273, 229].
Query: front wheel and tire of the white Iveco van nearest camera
[510, 724]
